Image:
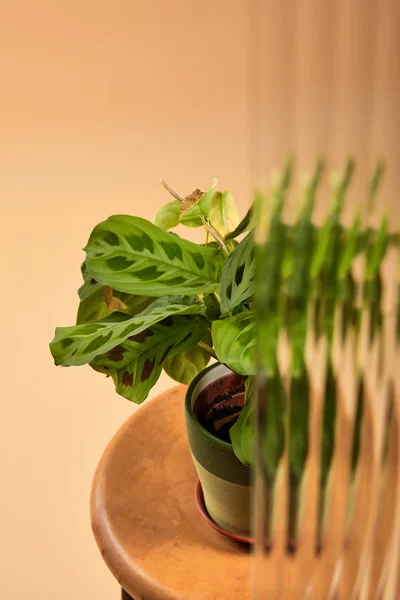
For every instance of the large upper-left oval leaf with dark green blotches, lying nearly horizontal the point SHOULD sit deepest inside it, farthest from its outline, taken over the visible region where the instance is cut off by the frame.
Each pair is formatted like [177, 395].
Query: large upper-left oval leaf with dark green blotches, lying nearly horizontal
[131, 255]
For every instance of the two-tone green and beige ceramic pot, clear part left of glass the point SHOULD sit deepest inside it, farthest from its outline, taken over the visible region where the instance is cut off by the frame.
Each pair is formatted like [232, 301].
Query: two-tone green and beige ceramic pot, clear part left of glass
[224, 479]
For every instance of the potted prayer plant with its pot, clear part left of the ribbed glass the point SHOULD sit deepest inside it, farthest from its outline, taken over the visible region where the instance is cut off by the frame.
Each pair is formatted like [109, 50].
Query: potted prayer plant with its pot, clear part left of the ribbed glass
[151, 301]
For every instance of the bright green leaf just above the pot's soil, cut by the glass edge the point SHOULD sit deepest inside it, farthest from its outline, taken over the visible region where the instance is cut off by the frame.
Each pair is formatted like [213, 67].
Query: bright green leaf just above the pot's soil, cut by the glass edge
[234, 342]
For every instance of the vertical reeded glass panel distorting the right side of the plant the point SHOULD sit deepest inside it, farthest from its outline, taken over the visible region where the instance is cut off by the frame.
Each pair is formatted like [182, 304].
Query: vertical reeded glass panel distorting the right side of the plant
[325, 132]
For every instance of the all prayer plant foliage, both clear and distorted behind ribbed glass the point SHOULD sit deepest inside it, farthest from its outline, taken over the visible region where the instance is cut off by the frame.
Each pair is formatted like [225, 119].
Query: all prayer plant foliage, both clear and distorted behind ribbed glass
[152, 300]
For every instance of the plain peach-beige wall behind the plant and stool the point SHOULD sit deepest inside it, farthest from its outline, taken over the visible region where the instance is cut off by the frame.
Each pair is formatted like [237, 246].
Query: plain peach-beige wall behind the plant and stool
[98, 100]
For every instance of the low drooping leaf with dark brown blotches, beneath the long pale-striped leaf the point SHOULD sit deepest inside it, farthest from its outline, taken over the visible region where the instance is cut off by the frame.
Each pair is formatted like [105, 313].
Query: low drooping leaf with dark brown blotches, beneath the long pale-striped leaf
[136, 364]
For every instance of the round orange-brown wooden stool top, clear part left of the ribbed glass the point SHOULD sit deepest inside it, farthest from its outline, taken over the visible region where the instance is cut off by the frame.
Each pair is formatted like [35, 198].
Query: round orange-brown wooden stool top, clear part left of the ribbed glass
[145, 519]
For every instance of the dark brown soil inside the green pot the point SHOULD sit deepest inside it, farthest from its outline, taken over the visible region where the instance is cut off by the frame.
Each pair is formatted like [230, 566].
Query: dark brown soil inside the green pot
[218, 406]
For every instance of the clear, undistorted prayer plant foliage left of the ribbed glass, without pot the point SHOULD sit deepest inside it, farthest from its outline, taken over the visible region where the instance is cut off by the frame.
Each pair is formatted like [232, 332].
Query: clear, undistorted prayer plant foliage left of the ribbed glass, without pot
[149, 298]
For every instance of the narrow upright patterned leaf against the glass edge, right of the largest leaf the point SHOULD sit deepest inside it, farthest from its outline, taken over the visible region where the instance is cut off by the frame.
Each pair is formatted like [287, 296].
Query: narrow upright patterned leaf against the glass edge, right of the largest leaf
[237, 281]
